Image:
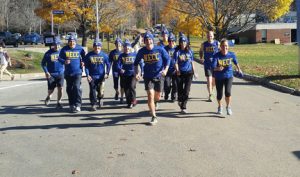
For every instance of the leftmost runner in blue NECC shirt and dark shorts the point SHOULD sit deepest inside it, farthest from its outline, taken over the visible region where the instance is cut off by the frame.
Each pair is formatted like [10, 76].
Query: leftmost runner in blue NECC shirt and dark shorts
[54, 72]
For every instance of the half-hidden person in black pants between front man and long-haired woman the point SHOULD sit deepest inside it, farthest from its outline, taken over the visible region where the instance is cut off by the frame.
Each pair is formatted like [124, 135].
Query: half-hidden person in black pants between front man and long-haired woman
[170, 84]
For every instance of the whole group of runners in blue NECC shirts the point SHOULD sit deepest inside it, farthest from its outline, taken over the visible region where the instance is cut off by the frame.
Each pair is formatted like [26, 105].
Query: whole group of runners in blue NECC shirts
[165, 68]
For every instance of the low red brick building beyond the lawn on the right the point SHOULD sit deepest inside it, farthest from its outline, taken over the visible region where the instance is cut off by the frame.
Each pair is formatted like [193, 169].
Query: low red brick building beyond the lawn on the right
[267, 32]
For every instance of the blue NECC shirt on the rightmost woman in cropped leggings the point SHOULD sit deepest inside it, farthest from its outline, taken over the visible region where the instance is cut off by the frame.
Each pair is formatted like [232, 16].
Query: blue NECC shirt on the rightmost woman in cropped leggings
[226, 61]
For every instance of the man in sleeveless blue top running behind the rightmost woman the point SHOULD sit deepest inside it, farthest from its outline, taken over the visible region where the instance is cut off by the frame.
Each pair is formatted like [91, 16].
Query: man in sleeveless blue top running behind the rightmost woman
[207, 50]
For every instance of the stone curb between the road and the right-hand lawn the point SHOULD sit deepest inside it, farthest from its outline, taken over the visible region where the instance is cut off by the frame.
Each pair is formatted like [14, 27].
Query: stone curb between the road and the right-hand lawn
[267, 83]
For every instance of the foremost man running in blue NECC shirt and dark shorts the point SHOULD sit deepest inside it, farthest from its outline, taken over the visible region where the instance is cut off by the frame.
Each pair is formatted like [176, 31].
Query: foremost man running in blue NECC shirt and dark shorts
[156, 65]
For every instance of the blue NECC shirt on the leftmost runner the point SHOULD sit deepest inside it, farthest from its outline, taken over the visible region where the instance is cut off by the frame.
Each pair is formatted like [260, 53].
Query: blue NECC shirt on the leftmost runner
[51, 64]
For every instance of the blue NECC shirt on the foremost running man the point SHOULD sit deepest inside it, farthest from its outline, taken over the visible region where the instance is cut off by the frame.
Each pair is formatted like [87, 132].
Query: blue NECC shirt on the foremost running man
[155, 61]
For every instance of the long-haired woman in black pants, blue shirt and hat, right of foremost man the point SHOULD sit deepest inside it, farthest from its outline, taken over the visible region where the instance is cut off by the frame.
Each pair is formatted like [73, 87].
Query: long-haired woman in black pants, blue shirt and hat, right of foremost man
[185, 70]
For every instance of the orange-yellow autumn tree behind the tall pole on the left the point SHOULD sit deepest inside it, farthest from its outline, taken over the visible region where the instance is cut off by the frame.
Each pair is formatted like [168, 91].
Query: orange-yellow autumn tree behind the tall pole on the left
[83, 11]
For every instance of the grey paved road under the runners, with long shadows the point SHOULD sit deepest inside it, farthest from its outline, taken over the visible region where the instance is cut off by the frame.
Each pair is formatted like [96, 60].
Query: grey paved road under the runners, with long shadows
[260, 139]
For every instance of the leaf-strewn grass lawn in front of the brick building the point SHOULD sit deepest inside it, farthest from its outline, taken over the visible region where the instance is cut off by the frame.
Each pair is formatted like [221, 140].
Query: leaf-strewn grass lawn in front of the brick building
[278, 63]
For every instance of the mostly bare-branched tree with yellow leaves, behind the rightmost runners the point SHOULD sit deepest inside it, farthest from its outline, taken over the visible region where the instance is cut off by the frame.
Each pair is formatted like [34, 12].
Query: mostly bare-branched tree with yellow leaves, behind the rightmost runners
[221, 15]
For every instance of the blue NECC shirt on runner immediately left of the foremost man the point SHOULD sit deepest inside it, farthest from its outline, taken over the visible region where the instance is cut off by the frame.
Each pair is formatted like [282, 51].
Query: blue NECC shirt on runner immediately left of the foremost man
[126, 62]
